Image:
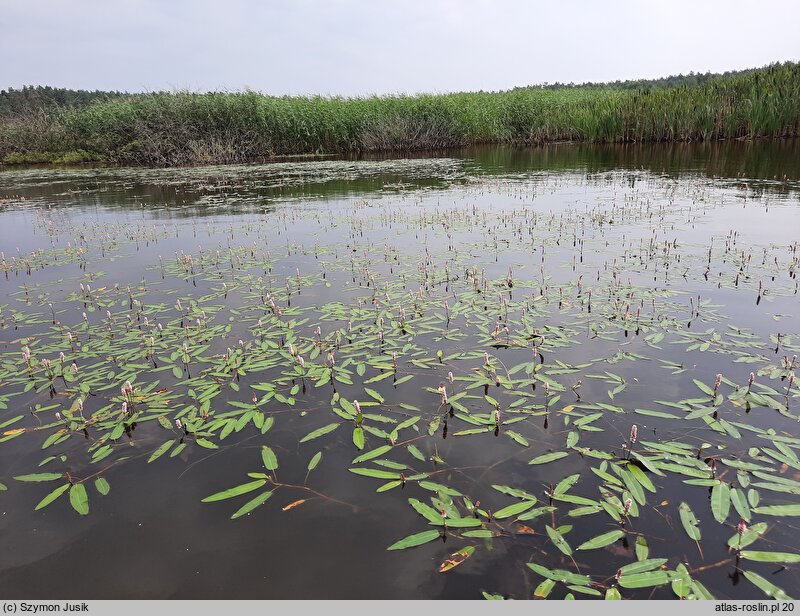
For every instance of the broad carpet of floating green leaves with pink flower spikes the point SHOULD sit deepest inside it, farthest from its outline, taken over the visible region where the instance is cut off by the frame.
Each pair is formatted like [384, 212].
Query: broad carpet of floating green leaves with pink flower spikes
[589, 381]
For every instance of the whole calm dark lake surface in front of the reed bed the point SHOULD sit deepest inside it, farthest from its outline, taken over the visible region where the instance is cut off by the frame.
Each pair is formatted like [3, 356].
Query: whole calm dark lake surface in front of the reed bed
[598, 282]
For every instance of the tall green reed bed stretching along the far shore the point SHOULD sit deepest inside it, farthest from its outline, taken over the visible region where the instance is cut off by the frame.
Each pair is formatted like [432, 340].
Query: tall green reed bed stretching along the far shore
[191, 128]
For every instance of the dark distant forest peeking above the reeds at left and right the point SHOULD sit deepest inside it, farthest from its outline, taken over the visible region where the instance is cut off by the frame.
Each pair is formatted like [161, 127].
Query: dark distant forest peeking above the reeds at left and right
[31, 98]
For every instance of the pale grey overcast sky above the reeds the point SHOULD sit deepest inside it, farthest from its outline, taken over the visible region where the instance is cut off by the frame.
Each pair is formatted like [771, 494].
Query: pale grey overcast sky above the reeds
[354, 47]
